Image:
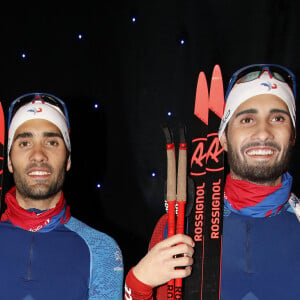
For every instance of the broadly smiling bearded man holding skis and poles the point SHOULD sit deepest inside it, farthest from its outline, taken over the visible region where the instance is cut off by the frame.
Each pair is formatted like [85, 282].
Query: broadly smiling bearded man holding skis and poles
[261, 228]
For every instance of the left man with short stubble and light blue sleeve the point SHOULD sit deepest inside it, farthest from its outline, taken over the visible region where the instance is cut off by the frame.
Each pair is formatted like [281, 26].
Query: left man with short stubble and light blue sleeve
[45, 252]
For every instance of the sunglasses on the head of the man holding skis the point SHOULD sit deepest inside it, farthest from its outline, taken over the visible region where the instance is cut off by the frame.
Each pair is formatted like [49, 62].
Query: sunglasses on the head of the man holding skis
[252, 72]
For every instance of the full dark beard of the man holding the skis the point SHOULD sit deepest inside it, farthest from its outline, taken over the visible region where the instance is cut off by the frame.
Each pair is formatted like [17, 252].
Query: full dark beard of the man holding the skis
[259, 174]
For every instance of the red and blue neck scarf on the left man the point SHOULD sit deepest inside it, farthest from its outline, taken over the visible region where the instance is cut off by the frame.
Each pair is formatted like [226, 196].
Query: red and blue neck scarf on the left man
[35, 221]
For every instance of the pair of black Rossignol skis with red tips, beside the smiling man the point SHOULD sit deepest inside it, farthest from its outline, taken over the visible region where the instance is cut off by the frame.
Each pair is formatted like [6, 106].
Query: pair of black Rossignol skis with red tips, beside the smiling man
[204, 222]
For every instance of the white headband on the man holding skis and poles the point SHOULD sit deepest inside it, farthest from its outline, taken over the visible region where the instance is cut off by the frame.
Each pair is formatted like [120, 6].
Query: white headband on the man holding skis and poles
[262, 85]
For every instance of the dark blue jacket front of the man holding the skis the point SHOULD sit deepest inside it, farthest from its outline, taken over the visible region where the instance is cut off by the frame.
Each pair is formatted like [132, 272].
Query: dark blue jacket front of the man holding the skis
[260, 258]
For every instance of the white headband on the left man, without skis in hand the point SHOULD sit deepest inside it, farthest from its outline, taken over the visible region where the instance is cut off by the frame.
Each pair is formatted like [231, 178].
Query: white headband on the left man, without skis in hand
[39, 110]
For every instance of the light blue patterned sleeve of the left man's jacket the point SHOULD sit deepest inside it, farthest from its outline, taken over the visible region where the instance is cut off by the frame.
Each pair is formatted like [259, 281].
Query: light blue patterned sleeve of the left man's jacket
[106, 265]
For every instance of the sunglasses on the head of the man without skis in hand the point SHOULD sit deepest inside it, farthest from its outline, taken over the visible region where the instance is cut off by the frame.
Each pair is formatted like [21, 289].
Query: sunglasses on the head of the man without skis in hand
[32, 97]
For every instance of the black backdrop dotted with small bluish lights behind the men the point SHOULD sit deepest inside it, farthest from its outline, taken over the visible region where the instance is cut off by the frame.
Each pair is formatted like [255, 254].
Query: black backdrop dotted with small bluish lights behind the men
[125, 68]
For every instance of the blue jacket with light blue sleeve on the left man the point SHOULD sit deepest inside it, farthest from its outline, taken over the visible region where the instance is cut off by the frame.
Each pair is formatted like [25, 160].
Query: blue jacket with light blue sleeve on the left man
[73, 261]
